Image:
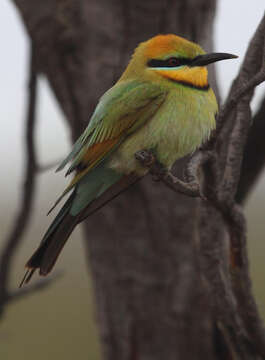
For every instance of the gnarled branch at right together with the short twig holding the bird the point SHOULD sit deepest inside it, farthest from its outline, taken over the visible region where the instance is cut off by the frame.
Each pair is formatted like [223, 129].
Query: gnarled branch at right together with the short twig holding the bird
[236, 308]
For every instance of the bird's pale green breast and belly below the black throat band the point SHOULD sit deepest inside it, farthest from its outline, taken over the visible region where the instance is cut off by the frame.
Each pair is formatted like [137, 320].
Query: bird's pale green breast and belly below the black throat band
[183, 119]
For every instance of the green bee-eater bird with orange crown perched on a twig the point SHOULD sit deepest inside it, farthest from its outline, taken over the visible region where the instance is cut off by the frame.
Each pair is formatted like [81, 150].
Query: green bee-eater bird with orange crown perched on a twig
[162, 102]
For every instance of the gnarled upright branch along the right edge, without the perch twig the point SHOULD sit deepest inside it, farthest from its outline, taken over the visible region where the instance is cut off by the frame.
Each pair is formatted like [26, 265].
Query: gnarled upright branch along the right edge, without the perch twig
[234, 122]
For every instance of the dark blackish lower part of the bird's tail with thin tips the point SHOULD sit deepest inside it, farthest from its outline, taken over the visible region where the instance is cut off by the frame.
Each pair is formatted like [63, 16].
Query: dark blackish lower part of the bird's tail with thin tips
[52, 243]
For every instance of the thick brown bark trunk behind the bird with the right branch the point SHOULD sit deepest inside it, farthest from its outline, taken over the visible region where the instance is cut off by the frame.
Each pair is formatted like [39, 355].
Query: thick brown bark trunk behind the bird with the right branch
[170, 271]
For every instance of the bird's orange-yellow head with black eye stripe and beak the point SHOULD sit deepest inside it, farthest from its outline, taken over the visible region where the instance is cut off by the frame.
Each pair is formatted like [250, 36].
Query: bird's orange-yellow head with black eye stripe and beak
[172, 58]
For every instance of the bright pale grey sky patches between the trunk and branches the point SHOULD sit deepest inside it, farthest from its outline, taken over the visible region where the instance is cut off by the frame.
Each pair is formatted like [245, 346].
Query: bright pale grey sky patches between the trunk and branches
[235, 23]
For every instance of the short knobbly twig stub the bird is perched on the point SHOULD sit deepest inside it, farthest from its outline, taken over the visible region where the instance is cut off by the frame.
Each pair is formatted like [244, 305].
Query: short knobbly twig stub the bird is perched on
[159, 173]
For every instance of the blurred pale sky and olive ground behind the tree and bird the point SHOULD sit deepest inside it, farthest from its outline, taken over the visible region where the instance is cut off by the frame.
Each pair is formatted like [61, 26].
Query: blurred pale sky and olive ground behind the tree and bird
[59, 322]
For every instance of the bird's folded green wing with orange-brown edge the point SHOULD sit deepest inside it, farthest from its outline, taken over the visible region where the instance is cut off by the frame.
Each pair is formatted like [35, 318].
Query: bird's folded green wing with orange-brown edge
[120, 112]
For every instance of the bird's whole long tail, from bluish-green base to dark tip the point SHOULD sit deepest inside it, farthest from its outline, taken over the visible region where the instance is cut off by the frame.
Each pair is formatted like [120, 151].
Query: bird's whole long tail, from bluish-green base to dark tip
[73, 212]
